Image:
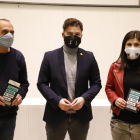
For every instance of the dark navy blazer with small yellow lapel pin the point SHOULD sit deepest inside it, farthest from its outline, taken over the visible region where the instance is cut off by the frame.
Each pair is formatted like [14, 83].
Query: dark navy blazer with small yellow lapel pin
[53, 85]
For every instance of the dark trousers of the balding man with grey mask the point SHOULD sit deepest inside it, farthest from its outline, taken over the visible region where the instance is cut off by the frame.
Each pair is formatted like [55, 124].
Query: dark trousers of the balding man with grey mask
[7, 128]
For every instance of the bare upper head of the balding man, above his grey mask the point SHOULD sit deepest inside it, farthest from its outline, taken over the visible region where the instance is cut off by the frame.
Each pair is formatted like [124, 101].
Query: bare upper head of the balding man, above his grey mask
[6, 27]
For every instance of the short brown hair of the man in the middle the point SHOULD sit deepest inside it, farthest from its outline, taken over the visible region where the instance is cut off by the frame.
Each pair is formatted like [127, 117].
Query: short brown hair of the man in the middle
[72, 22]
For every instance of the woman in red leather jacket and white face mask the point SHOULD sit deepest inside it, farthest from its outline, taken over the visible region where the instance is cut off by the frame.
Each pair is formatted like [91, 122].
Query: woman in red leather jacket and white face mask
[123, 75]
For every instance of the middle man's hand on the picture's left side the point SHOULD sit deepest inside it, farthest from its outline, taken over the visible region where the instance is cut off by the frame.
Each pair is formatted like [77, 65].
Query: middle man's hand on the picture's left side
[64, 104]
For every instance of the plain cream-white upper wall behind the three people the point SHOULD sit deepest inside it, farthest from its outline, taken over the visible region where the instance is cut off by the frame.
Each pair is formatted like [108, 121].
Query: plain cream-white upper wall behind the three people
[38, 29]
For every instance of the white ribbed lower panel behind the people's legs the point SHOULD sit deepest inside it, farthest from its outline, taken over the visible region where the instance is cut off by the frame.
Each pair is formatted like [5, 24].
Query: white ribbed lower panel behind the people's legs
[29, 124]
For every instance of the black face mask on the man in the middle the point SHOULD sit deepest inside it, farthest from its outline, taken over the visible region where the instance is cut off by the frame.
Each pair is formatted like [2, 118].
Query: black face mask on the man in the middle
[72, 41]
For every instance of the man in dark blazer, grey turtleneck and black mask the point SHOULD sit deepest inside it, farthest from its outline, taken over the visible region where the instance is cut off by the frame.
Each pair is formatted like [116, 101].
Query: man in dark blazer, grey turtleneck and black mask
[63, 81]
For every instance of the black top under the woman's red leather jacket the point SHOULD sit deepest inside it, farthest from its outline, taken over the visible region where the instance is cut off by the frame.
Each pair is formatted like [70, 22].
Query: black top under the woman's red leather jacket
[131, 80]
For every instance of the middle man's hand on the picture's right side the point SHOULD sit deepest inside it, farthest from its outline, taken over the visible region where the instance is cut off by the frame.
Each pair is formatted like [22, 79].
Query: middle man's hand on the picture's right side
[78, 103]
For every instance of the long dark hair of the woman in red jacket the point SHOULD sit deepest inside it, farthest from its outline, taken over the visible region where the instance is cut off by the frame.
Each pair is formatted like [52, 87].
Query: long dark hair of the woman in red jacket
[123, 55]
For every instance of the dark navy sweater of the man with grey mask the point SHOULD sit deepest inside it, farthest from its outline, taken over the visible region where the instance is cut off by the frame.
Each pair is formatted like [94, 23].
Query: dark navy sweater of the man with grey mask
[12, 67]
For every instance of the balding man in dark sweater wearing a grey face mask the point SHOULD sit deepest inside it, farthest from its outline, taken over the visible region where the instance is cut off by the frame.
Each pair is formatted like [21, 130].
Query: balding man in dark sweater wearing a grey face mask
[12, 67]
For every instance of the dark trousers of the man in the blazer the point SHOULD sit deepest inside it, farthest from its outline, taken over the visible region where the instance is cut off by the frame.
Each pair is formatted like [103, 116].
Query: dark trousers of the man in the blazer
[77, 130]
